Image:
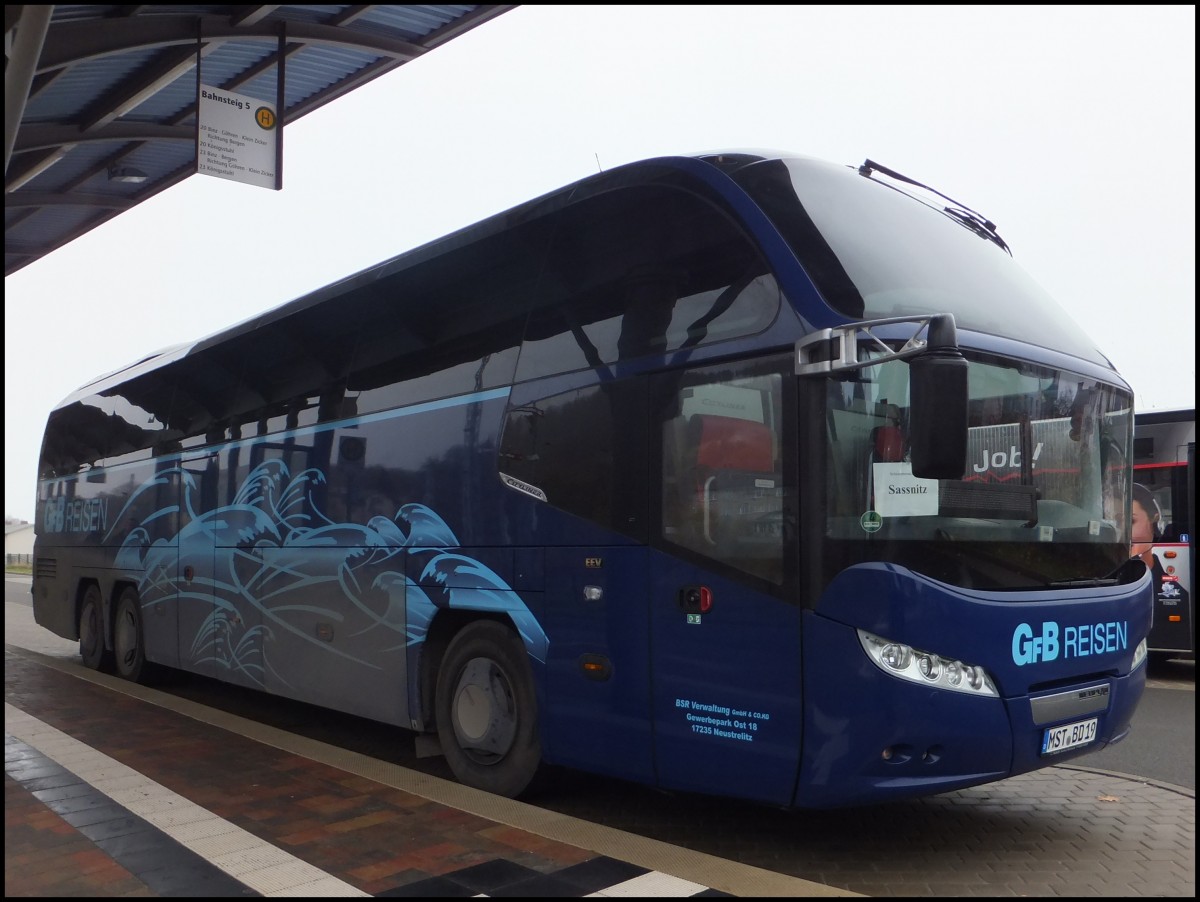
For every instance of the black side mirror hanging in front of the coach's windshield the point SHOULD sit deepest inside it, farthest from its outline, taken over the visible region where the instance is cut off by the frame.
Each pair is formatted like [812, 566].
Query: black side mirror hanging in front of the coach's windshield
[938, 412]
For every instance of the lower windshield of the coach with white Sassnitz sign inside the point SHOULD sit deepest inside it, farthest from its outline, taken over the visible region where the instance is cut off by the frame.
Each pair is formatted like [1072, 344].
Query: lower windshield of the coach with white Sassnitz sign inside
[1042, 502]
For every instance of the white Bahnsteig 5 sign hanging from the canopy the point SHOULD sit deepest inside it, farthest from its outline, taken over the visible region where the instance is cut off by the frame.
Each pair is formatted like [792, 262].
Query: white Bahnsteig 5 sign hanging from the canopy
[237, 137]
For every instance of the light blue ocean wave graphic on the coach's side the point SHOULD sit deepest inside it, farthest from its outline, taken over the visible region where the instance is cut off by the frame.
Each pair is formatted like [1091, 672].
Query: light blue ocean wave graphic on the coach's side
[271, 560]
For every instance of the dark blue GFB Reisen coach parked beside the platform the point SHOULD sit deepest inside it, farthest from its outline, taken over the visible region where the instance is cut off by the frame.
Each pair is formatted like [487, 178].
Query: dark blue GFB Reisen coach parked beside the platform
[742, 474]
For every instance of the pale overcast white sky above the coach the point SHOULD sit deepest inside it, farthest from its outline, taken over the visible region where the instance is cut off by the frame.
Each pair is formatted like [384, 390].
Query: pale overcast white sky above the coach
[1071, 128]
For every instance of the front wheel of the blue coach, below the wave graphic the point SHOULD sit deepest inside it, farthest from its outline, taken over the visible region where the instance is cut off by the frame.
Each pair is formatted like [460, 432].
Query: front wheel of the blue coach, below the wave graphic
[488, 711]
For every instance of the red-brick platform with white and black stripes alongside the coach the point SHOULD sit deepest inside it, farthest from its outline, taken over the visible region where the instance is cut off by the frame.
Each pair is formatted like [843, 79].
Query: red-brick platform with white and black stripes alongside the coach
[117, 790]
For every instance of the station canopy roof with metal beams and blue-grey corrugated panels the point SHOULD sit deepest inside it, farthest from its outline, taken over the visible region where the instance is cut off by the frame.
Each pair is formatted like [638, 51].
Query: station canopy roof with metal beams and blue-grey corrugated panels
[101, 101]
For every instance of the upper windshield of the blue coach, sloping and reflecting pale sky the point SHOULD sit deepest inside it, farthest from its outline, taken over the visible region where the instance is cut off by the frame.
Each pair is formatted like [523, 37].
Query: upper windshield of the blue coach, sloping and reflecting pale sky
[877, 254]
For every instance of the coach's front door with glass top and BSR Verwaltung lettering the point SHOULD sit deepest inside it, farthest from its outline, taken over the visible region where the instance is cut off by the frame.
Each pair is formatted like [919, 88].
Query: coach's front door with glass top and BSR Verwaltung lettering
[725, 646]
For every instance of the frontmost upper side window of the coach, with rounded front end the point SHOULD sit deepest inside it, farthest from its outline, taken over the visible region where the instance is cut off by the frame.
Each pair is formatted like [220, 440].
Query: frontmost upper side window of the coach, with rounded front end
[646, 270]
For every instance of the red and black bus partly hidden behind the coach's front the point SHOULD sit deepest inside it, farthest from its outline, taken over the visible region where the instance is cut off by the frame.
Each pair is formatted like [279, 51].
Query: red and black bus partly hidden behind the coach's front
[1165, 465]
